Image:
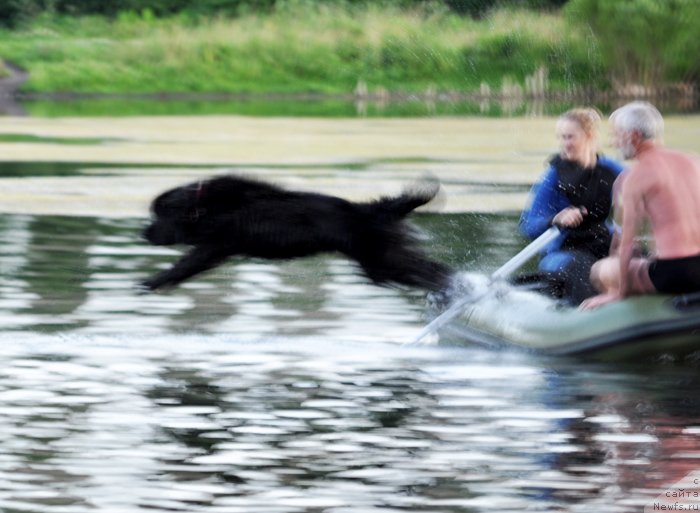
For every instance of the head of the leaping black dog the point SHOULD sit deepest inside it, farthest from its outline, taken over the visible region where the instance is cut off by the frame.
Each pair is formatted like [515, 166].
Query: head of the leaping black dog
[175, 215]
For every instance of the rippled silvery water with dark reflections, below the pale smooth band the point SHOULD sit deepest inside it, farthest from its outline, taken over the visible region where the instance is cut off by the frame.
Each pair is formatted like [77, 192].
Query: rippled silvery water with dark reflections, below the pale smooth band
[265, 387]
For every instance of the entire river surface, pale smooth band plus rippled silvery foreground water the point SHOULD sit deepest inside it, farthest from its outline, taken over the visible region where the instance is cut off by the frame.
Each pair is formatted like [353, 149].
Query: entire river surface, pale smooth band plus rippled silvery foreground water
[290, 387]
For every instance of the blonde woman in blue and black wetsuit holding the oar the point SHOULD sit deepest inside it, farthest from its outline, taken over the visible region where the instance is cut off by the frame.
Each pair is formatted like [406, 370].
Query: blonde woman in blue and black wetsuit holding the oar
[575, 194]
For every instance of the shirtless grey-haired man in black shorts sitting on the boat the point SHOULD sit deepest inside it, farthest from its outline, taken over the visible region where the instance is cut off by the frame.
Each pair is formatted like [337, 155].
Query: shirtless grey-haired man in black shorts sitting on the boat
[663, 188]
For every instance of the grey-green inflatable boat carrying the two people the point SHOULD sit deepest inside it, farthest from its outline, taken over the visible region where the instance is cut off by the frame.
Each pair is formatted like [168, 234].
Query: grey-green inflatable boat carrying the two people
[642, 327]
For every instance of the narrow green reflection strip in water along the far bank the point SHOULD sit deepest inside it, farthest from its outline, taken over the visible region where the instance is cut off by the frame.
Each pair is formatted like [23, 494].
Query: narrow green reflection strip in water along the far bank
[398, 105]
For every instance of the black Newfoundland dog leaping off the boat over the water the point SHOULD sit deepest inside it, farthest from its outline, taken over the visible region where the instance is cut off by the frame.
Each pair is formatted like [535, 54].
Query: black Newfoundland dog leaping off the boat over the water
[230, 215]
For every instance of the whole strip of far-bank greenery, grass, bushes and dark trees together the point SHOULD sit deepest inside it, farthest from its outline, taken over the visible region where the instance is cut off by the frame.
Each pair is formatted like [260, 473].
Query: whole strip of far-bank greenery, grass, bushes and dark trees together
[337, 46]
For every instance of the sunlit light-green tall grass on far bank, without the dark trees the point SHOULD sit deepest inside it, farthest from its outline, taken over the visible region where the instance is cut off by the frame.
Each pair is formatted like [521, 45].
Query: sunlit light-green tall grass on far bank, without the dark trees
[306, 48]
